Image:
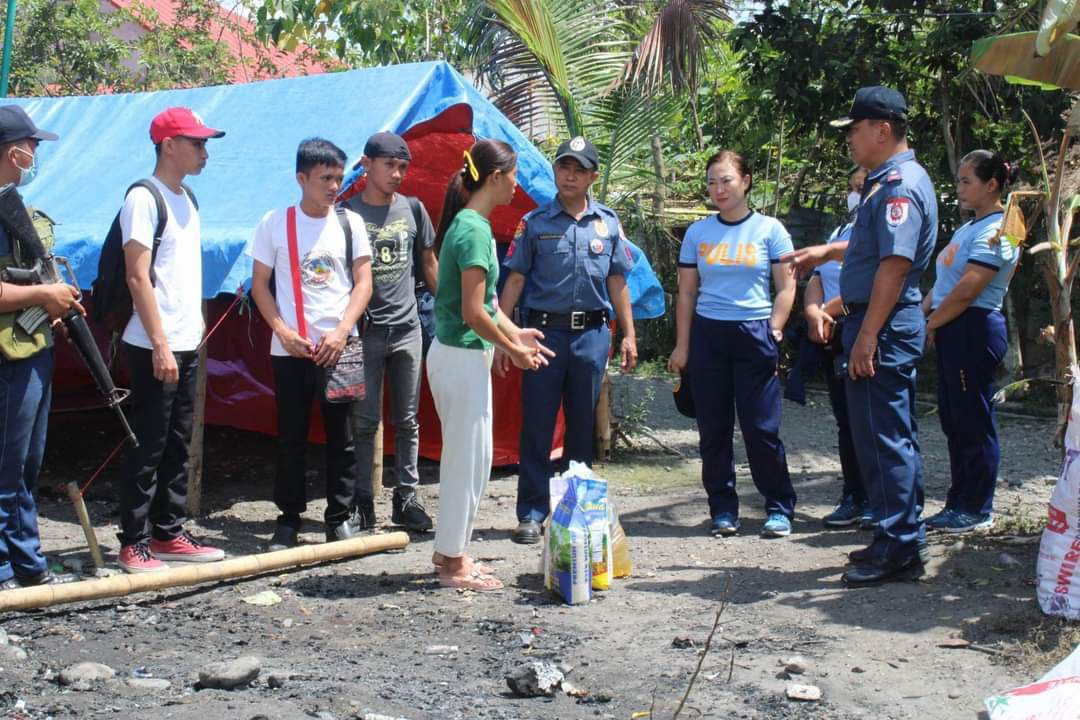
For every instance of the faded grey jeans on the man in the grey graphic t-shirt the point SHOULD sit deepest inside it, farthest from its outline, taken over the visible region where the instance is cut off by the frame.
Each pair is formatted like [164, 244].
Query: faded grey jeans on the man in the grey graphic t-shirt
[394, 350]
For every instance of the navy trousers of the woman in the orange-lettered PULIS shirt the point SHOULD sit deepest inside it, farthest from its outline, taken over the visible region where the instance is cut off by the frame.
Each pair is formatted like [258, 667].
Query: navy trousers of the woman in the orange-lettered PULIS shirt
[733, 370]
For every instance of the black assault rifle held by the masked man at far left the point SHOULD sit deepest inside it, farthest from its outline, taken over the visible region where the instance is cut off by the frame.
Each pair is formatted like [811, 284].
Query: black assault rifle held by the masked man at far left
[46, 270]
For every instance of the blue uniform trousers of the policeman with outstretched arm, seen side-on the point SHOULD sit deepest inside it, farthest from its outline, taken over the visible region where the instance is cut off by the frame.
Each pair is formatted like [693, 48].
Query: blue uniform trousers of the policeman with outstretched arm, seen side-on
[882, 416]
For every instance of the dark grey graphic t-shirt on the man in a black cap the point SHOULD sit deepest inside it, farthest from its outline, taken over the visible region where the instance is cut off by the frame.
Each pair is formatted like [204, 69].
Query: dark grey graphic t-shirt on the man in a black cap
[394, 236]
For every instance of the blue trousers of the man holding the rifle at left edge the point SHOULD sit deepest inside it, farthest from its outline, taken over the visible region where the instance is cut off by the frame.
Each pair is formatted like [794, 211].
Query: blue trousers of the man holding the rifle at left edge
[25, 397]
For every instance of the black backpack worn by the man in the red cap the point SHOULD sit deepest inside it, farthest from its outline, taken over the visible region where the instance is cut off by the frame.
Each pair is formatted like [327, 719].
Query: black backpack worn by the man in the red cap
[113, 300]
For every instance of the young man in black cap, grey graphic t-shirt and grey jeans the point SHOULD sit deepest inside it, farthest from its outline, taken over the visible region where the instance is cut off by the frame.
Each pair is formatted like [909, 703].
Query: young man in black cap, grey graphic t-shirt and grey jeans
[402, 253]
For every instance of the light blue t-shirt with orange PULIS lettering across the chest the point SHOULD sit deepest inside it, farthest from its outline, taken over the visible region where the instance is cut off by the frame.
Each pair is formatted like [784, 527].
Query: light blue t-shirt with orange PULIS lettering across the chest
[735, 265]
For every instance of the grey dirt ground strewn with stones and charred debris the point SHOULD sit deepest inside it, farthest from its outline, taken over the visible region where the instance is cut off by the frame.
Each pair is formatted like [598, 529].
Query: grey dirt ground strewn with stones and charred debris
[359, 637]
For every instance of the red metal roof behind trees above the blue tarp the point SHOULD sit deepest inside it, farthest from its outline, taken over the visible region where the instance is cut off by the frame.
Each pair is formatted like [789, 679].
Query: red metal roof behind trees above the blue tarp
[235, 31]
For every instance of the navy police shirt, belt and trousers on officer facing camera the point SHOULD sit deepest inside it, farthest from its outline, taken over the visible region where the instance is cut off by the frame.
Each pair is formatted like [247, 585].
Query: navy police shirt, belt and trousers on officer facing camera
[566, 263]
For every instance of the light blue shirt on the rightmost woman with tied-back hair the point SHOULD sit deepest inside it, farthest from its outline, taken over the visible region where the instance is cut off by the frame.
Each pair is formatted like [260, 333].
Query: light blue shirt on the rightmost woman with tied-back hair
[971, 243]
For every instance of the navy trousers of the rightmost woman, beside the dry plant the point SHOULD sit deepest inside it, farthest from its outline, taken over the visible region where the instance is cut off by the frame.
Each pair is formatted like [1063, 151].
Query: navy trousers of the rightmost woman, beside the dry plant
[969, 351]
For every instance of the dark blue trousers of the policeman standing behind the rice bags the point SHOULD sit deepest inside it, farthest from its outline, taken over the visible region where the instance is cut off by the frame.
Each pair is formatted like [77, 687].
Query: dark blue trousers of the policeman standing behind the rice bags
[573, 379]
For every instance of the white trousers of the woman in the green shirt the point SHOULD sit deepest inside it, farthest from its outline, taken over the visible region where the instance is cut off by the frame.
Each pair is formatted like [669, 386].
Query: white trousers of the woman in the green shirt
[461, 384]
